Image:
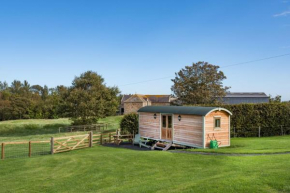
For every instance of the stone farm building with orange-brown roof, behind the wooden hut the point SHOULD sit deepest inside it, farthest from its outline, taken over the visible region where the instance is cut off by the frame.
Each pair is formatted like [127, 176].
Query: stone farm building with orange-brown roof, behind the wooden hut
[132, 103]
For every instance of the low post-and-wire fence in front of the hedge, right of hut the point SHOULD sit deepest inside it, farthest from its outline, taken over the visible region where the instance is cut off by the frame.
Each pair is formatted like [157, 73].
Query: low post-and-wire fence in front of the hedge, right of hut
[260, 131]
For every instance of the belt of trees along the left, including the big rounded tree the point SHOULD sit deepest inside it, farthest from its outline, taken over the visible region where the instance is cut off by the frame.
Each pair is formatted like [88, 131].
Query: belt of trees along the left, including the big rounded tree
[85, 101]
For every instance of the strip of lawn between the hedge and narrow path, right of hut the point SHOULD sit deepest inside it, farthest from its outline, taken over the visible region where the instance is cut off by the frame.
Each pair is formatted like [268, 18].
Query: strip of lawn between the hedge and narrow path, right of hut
[254, 145]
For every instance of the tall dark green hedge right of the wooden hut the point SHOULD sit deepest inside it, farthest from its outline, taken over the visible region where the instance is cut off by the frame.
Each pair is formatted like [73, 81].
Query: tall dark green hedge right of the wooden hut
[247, 118]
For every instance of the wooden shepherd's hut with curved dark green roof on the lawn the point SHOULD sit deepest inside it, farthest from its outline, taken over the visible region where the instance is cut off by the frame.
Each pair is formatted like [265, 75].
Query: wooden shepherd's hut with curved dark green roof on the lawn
[188, 126]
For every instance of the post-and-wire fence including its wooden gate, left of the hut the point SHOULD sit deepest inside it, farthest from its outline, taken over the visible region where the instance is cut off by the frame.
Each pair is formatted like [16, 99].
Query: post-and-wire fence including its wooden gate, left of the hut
[55, 145]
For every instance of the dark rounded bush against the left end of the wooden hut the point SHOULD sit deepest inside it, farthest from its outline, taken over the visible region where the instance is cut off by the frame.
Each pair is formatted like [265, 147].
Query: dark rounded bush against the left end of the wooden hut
[129, 123]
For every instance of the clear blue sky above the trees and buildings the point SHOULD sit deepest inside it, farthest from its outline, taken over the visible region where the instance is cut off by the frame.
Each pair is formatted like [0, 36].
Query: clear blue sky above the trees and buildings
[50, 42]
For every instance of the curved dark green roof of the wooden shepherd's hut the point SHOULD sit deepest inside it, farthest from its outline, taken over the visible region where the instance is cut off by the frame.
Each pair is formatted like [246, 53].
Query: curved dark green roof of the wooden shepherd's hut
[202, 111]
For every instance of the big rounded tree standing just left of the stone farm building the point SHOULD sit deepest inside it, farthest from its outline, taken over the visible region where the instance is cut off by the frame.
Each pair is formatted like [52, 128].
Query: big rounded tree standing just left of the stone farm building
[90, 99]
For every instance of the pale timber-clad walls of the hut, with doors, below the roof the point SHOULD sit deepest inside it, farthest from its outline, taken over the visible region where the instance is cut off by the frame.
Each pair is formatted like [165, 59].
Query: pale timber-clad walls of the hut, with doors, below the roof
[192, 130]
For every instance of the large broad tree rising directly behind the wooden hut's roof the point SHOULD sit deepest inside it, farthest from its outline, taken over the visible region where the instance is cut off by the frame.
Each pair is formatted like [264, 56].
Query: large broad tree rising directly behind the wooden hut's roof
[200, 83]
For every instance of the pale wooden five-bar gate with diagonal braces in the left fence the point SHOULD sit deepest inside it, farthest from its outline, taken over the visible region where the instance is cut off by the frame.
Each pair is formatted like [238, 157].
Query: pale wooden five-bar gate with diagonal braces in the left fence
[63, 144]
